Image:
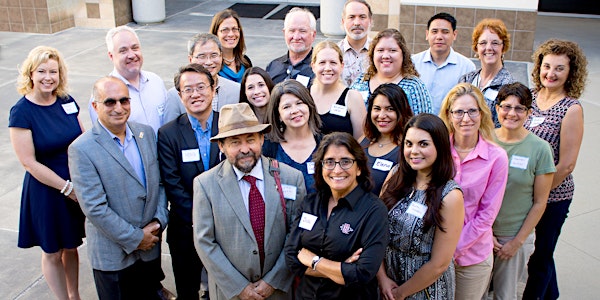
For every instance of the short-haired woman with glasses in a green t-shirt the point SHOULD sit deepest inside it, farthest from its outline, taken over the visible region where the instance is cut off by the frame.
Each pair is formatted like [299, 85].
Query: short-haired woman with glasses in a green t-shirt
[530, 173]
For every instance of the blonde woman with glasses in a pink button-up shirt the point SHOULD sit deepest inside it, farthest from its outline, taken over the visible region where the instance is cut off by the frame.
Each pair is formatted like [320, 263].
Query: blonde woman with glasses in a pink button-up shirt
[481, 171]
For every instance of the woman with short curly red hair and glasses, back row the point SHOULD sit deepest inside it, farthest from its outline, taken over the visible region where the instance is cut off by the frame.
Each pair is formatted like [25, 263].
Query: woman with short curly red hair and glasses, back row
[490, 41]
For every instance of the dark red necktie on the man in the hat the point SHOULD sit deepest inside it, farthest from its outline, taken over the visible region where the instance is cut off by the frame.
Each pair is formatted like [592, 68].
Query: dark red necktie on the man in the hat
[256, 207]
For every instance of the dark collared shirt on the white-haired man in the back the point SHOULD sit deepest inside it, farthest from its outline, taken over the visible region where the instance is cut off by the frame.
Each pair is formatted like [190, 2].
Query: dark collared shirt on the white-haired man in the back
[281, 68]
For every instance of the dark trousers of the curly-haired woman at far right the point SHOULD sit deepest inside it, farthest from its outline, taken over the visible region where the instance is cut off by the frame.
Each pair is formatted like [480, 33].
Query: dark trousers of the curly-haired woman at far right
[542, 283]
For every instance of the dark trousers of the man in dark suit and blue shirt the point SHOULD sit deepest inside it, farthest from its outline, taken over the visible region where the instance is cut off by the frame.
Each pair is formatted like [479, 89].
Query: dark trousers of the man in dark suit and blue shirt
[187, 267]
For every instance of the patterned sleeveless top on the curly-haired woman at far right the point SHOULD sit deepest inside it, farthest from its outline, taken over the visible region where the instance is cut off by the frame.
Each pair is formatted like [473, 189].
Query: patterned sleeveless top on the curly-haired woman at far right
[549, 130]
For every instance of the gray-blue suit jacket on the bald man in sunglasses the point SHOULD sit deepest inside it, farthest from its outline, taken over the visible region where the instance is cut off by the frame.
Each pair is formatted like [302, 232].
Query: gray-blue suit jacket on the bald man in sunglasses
[112, 197]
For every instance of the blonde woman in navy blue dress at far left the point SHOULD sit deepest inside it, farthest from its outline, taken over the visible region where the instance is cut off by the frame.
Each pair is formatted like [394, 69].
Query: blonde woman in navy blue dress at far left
[43, 123]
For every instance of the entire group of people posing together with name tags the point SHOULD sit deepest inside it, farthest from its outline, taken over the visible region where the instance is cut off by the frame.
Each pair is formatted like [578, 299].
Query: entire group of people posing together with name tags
[347, 170]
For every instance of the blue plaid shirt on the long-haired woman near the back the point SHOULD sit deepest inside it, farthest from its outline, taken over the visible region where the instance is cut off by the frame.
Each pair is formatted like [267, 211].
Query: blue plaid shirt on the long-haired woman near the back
[415, 90]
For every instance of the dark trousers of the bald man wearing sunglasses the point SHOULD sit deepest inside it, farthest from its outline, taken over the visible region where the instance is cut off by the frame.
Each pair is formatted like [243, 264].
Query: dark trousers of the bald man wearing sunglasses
[138, 281]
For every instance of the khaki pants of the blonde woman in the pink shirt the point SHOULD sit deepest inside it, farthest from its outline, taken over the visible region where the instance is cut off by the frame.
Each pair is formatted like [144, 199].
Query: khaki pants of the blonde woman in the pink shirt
[472, 281]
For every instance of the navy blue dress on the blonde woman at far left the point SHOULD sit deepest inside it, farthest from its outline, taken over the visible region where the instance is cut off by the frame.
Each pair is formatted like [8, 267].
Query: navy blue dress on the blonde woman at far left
[48, 219]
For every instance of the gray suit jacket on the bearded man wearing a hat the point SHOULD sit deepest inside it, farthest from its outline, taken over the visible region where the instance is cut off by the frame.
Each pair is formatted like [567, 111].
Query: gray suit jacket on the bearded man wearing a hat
[223, 234]
